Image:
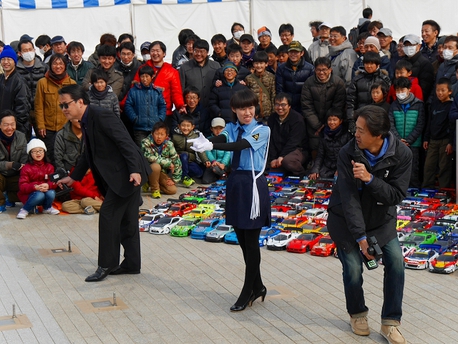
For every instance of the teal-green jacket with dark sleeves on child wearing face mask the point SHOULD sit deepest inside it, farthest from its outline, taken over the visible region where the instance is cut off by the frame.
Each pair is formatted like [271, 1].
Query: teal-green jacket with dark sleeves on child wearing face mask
[408, 121]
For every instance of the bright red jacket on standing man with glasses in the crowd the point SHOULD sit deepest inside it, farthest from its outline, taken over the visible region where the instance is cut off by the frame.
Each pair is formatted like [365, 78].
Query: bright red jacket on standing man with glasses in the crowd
[167, 80]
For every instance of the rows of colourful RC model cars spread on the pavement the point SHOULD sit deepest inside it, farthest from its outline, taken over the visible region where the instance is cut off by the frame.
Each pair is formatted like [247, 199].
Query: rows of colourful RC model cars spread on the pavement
[425, 217]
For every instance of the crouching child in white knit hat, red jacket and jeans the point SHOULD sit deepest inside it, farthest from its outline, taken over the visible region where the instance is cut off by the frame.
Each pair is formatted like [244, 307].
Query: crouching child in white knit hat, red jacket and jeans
[35, 188]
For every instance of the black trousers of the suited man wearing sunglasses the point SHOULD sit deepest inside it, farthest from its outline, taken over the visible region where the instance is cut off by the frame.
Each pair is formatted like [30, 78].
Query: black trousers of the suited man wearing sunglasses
[118, 225]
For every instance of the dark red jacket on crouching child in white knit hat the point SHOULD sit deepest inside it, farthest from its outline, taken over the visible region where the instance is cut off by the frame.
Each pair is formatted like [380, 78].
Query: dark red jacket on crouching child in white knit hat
[34, 173]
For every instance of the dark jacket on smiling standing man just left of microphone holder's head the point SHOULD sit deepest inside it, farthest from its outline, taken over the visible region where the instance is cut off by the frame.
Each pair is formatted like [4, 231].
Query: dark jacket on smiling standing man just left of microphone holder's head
[317, 98]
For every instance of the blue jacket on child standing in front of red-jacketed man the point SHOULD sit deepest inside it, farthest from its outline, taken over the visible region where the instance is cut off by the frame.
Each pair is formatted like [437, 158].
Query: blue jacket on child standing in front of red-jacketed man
[145, 106]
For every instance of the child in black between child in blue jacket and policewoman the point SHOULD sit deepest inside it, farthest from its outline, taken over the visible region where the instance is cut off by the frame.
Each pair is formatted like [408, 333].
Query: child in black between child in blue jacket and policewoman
[191, 95]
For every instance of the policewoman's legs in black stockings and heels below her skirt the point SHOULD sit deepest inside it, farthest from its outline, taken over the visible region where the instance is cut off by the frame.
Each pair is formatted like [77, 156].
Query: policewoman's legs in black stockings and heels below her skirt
[249, 243]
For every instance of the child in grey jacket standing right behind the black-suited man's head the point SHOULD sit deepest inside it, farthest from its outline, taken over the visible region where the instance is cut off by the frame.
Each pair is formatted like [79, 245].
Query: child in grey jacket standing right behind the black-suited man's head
[101, 94]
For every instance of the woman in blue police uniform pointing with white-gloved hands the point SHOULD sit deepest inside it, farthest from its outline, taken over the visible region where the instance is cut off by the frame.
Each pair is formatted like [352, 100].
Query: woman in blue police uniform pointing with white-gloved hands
[247, 194]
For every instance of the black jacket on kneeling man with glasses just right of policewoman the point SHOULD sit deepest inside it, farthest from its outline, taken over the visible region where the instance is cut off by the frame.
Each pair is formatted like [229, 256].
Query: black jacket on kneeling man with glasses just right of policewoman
[287, 136]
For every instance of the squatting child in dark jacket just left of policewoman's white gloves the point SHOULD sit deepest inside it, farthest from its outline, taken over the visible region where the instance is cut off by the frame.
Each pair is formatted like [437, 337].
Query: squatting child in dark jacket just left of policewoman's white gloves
[190, 161]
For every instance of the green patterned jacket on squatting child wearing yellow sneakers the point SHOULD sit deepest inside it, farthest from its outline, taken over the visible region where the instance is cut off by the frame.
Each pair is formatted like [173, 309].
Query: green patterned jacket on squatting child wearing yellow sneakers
[165, 155]
